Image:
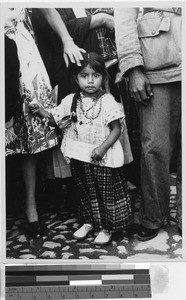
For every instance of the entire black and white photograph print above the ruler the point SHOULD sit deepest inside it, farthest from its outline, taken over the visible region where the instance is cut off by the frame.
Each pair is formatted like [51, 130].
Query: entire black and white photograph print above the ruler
[93, 142]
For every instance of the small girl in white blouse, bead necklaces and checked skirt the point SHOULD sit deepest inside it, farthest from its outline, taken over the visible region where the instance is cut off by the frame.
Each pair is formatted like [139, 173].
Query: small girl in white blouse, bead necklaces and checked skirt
[93, 122]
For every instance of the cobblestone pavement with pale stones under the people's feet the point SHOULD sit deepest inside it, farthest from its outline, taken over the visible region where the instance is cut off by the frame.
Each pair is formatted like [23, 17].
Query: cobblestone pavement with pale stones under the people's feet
[59, 243]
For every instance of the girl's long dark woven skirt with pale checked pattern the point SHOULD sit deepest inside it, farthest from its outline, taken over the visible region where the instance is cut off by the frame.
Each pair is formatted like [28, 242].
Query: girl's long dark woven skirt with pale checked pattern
[104, 197]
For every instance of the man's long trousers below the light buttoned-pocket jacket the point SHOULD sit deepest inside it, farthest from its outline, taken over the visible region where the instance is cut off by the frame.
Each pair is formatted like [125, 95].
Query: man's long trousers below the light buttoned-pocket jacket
[160, 127]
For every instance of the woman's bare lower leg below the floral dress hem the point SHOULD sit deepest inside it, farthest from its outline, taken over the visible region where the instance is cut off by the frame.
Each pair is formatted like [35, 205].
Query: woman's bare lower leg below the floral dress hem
[29, 163]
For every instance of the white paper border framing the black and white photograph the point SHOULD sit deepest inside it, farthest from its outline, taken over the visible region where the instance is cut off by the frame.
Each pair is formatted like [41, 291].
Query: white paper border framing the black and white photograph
[59, 4]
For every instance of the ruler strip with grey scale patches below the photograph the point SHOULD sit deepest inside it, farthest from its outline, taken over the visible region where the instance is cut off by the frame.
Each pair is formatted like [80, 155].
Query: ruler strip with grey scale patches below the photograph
[70, 282]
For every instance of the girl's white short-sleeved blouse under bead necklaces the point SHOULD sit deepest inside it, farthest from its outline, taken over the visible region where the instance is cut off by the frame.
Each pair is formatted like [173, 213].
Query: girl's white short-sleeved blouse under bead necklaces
[91, 128]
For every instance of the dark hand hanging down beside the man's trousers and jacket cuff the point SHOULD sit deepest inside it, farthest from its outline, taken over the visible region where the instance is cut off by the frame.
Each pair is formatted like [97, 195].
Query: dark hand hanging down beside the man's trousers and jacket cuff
[139, 86]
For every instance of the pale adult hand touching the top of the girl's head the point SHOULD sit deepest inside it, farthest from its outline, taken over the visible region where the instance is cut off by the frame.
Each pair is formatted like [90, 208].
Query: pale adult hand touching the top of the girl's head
[72, 53]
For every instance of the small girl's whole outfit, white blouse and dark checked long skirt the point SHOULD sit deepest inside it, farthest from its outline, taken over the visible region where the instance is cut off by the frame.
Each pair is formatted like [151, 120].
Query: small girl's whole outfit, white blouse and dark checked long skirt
[104, 197]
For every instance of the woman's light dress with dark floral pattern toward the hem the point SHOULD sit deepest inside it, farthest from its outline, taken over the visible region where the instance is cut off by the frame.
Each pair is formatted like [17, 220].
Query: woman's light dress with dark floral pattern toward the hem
[26, 133]
